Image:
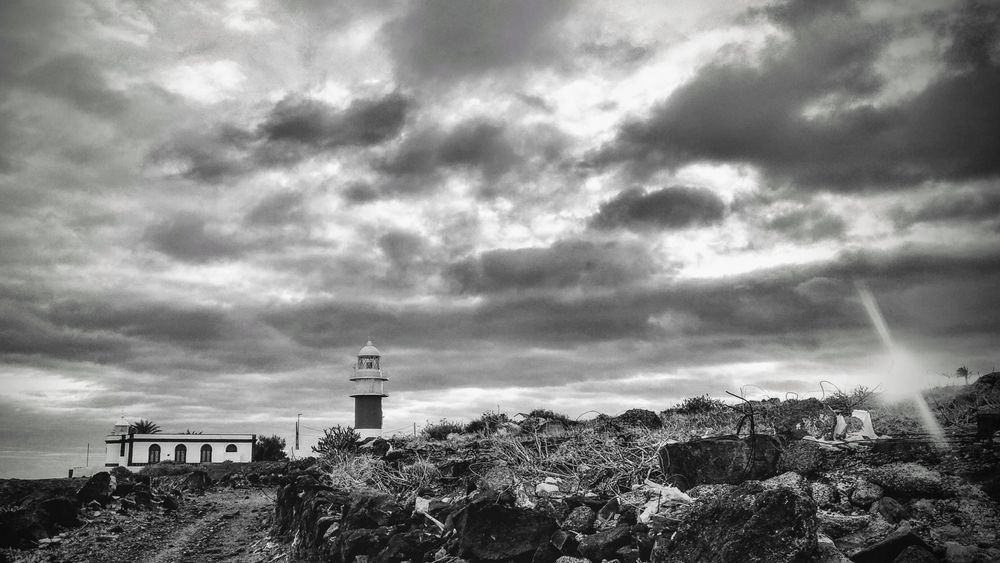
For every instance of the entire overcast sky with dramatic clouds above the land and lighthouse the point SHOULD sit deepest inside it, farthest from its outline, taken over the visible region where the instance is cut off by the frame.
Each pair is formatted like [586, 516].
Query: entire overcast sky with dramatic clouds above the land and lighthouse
[207, 208]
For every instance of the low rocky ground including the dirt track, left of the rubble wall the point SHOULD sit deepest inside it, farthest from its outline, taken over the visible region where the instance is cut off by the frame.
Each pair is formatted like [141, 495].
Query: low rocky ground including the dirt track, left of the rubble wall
[129, 518]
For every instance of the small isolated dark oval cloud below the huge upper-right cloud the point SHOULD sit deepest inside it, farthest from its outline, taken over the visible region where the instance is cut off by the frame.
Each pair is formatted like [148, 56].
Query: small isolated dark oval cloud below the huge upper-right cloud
[675, 207]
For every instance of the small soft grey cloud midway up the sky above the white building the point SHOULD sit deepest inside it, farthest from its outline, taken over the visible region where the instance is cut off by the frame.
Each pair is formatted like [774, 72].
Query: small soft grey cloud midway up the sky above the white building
[189, 237]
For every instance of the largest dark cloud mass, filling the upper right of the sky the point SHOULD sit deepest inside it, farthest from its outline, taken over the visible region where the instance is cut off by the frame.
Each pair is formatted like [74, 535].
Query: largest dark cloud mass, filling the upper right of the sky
[800, 112]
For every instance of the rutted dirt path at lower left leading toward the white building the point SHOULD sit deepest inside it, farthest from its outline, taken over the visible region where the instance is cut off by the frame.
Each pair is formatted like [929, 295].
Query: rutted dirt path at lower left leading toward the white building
[221, 525]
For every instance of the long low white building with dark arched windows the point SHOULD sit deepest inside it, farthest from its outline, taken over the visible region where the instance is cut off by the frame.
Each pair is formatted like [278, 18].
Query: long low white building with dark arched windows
[135, 450]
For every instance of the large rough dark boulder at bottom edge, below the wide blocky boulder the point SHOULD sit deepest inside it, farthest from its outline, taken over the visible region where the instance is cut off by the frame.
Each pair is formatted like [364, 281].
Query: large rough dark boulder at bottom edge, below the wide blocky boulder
[750, 523]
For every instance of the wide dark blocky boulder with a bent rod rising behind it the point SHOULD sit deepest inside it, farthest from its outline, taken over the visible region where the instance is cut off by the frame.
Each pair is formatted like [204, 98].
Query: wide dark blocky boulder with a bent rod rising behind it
[721, 459]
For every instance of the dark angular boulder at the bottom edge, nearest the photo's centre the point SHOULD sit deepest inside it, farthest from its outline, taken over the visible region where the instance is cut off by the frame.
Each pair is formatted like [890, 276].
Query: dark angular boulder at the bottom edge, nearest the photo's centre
[491, 531]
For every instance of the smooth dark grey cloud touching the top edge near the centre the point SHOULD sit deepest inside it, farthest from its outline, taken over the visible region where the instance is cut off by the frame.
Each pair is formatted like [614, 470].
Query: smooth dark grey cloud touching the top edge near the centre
[446, 40]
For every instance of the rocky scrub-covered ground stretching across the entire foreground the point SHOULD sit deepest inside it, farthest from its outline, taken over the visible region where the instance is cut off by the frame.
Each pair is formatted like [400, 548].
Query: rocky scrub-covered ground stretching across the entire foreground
[639, 487]
